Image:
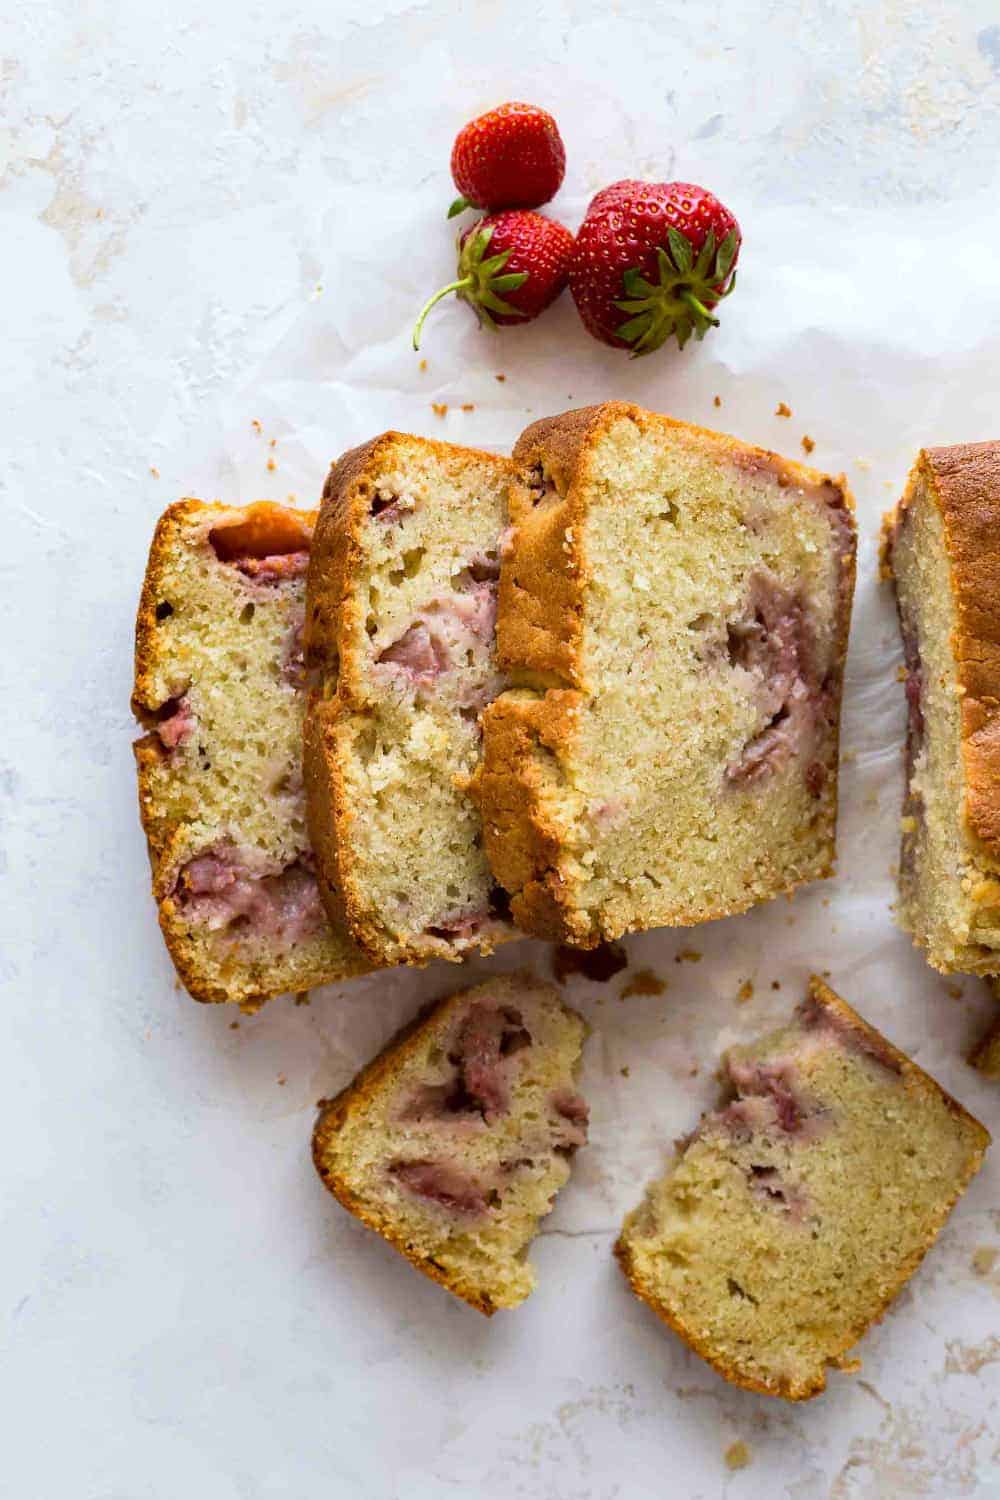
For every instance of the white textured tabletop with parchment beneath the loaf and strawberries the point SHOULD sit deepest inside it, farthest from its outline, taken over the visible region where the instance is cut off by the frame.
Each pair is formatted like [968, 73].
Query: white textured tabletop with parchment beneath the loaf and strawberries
[215, 214]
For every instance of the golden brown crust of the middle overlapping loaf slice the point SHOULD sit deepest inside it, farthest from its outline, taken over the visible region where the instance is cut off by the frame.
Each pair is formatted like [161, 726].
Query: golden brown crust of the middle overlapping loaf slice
[334, 625]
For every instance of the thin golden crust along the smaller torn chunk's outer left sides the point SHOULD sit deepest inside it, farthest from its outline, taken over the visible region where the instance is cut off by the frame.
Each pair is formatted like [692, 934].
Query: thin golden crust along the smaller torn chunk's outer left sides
[379, 1075]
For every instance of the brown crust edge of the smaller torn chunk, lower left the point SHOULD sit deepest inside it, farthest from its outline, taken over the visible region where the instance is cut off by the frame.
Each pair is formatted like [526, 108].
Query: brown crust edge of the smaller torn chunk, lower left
[380, 1078]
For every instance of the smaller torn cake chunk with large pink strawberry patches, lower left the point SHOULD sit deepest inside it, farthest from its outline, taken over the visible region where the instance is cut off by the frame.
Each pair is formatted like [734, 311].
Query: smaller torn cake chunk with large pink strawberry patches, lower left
[457, 1139]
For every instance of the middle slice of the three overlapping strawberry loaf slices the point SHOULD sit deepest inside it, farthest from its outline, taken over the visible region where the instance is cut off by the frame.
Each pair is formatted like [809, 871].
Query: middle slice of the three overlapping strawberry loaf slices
[401, 625]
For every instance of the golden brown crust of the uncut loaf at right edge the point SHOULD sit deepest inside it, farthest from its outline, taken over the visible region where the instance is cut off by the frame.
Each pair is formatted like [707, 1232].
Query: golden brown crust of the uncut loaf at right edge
[965, 482]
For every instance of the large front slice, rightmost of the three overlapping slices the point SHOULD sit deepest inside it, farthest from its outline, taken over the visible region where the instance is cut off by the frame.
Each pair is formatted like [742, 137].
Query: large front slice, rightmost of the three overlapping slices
[674, 614]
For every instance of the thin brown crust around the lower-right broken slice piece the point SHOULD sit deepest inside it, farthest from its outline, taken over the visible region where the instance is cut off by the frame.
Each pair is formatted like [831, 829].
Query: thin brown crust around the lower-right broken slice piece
[912, 1078]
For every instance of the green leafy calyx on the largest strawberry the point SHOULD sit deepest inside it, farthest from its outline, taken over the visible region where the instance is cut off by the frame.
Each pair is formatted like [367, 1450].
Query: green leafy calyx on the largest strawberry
[678, 305]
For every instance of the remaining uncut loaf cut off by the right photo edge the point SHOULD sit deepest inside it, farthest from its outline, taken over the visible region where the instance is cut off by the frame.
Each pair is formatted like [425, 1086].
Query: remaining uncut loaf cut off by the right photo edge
[942, 550]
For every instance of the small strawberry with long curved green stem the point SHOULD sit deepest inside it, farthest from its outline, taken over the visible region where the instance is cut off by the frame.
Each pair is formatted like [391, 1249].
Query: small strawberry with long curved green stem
[525, 271]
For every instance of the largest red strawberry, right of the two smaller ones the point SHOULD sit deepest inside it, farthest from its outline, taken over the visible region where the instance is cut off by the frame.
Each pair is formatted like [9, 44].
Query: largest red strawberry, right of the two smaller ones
[665, 254]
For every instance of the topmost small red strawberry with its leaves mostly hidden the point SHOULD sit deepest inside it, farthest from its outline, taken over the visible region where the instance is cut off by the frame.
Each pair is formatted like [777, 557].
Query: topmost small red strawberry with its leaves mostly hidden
[510, 158]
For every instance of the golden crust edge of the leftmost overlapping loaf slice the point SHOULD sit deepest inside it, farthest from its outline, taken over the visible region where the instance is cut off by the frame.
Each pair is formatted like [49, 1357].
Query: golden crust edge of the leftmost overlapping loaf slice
[245, 982]
